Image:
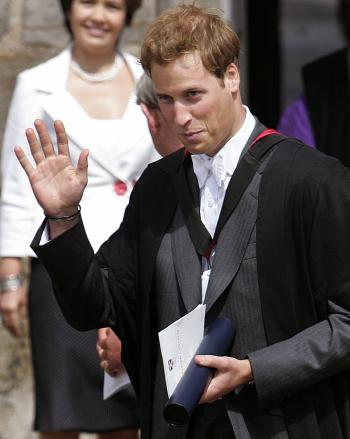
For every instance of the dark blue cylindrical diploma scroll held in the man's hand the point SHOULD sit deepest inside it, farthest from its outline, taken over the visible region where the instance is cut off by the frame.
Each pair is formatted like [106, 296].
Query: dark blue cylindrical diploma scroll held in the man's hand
[190, 388]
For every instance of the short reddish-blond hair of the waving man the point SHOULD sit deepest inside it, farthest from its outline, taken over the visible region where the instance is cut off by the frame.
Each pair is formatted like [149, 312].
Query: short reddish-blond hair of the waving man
[186, 29]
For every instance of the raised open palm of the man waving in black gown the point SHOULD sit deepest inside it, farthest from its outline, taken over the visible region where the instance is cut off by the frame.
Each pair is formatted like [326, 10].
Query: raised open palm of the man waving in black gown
[57, 185]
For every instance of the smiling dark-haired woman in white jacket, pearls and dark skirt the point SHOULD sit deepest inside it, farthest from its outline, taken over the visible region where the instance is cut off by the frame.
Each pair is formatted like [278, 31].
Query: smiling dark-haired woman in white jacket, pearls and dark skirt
[91, 86]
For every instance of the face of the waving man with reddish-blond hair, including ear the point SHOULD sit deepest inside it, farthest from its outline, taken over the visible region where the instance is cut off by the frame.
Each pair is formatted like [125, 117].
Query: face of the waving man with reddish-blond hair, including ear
[203, 110]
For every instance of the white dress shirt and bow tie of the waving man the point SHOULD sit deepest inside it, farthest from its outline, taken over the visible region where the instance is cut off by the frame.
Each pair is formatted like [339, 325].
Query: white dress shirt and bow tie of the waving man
[213, 175]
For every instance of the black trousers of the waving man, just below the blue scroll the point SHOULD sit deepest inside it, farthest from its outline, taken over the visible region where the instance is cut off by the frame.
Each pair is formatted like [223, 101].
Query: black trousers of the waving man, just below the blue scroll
[210, 421]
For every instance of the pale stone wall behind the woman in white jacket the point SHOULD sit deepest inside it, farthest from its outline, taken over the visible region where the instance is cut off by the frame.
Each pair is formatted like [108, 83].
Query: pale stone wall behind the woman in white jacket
[29, 34]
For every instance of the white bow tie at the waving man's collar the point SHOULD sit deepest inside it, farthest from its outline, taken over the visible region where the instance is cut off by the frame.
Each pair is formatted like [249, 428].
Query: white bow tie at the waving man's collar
[204, 165]
